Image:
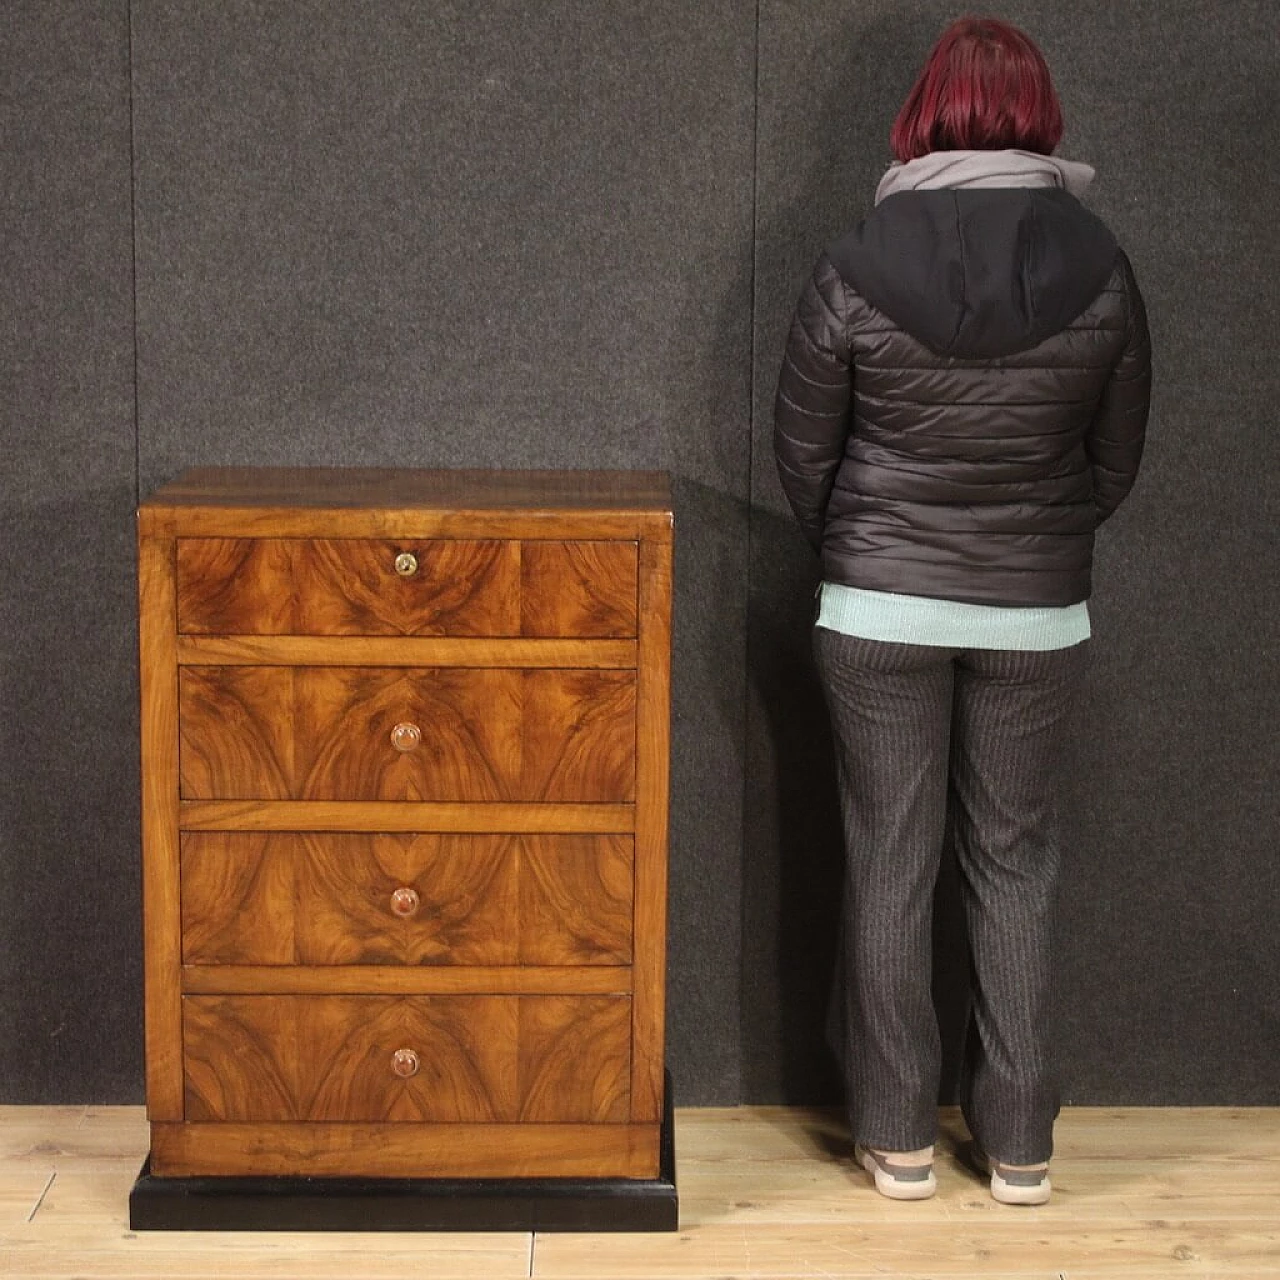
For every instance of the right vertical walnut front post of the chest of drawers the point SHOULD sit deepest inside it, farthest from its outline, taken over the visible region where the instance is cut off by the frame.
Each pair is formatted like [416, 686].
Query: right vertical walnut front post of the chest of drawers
[653, 756]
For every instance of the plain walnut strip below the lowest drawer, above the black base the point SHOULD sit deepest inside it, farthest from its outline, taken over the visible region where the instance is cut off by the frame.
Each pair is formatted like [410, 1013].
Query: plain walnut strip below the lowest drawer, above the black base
[406, 1150]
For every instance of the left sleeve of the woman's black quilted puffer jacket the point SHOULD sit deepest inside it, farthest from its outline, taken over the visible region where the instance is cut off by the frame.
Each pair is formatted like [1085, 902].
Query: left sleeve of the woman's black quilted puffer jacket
[815, 392]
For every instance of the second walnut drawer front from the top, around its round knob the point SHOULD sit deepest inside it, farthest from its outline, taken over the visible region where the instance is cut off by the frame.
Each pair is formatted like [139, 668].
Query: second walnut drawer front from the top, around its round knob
[327, 734]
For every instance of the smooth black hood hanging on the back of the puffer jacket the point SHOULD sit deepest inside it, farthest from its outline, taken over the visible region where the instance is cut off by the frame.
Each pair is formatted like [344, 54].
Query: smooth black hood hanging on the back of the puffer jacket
[979, 272]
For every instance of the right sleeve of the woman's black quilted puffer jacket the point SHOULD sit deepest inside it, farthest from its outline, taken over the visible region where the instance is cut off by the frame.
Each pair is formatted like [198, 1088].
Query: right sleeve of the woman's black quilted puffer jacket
[1116, 438]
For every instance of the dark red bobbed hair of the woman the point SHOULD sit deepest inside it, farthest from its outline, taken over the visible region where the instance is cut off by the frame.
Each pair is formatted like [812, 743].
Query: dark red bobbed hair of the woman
[985, 88]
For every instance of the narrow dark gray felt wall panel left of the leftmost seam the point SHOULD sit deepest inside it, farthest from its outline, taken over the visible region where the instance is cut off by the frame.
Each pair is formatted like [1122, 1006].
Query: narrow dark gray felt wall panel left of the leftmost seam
[71, 967]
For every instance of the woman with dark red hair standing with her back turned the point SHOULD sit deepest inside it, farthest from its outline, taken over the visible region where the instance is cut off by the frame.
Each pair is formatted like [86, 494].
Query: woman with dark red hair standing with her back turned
[963, 403]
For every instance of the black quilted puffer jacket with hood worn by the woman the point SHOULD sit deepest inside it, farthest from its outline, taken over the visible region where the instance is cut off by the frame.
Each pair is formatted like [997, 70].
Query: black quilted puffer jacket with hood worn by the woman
[964, 397]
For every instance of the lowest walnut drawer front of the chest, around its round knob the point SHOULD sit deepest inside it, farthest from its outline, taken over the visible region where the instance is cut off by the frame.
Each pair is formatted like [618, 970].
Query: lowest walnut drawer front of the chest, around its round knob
[479, 1058]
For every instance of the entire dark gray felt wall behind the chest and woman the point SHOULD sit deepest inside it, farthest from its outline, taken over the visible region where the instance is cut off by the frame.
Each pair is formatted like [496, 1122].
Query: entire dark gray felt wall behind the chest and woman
[570, 236]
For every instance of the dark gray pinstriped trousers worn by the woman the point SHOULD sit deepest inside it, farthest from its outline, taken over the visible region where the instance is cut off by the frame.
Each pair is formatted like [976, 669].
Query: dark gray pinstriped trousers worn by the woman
[911, 723]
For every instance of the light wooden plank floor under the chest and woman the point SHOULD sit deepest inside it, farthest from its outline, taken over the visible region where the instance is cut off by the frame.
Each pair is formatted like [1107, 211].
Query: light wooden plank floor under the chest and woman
[765, 1192]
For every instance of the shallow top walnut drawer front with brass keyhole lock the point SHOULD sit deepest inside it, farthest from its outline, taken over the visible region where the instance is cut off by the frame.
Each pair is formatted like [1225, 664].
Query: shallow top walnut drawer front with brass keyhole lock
[428, 588]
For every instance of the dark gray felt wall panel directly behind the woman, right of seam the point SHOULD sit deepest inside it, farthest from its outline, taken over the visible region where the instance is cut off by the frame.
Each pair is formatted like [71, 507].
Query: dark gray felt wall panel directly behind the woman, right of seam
[1171, 968]
